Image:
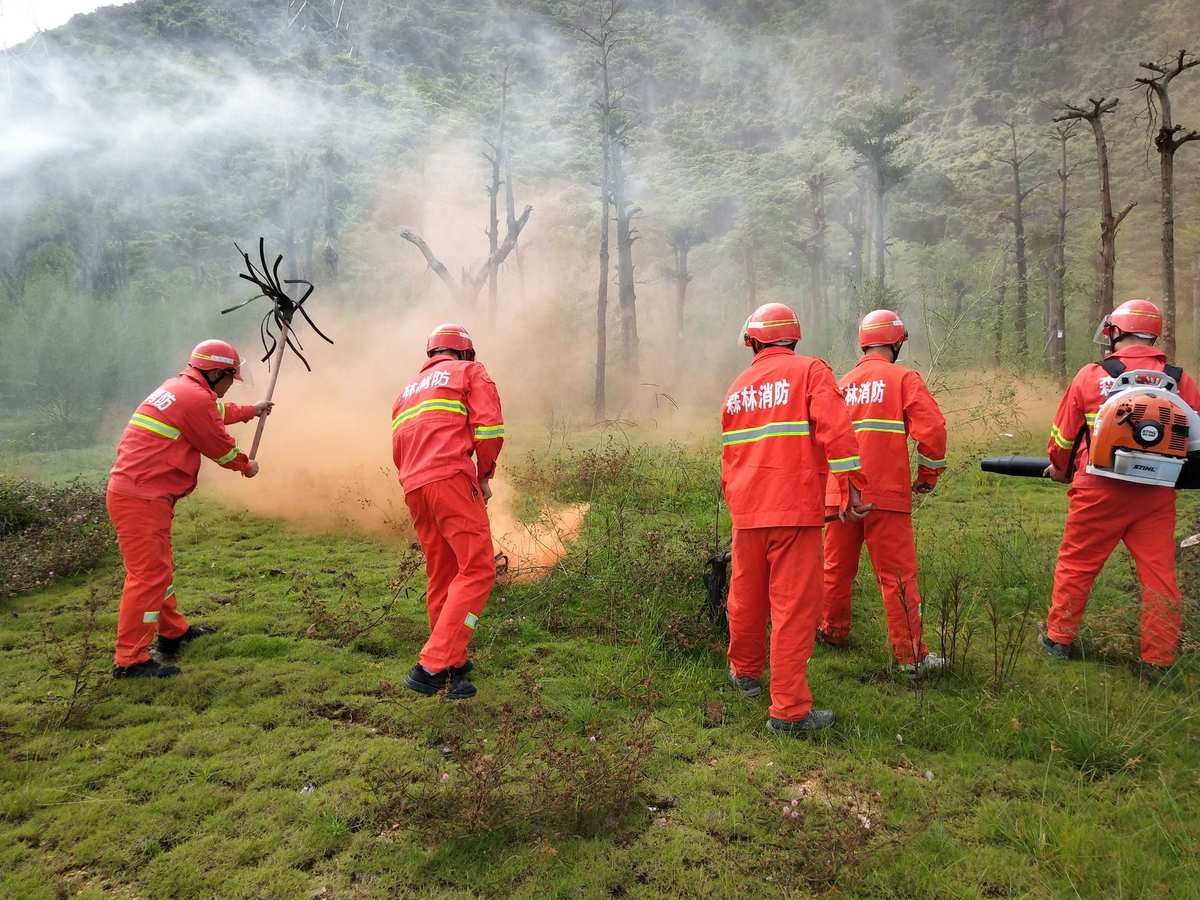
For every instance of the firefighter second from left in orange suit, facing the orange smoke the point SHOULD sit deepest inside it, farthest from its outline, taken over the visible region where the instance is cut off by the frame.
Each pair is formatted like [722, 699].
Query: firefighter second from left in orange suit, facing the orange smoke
[447, 415]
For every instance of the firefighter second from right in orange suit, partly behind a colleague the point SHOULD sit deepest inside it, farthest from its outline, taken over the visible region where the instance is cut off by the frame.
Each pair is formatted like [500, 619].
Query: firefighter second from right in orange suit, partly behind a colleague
[889, 405]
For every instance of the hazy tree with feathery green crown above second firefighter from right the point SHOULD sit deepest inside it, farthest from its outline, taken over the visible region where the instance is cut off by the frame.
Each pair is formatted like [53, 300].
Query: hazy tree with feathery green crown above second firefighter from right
[875, 137]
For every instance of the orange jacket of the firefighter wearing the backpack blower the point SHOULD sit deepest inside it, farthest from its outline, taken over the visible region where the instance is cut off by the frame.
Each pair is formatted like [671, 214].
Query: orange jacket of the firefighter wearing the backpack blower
[1088, 392]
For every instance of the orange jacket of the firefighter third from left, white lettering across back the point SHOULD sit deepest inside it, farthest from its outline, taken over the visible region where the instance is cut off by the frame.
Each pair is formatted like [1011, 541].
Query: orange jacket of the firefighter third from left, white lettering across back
[784, 431]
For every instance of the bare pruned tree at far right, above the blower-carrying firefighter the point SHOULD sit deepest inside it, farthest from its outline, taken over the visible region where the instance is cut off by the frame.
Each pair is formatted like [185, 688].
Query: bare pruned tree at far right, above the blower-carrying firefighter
[1168, 140]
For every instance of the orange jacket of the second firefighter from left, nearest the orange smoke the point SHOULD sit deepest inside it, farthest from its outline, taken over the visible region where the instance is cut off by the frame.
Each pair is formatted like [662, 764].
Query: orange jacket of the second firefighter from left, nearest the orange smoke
[448, 413]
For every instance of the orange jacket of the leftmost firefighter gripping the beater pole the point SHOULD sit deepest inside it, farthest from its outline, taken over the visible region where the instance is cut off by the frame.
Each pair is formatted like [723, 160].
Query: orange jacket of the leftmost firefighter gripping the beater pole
[159, 455]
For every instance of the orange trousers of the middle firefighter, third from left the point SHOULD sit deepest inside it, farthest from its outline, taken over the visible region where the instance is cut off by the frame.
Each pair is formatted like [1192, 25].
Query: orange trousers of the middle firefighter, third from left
[777, 574]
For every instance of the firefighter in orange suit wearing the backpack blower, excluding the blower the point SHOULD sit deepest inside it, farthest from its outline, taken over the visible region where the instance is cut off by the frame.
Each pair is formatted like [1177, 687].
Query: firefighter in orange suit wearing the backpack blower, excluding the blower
[1102, 512]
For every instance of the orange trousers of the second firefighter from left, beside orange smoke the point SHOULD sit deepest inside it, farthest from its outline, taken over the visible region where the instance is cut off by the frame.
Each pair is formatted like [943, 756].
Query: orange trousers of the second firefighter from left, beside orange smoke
[452, 525]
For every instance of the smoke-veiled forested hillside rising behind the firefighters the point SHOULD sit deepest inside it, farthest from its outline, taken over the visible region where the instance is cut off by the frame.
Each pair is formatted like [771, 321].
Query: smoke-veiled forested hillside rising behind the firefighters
[145, 140]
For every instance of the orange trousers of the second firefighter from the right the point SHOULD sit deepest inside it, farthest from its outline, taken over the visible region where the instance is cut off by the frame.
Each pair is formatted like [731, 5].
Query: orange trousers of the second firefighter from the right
[893, 553]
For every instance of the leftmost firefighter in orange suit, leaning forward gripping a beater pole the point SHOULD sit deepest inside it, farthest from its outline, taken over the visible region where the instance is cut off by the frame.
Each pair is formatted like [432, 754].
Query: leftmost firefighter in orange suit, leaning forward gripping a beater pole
[158, 463]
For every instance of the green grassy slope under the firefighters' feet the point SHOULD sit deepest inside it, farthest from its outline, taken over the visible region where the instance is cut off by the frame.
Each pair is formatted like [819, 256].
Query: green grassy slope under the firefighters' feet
[283, 764]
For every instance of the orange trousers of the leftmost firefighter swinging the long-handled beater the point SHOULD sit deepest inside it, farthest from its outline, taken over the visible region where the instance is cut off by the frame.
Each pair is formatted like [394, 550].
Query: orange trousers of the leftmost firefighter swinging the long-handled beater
[148, 599]
